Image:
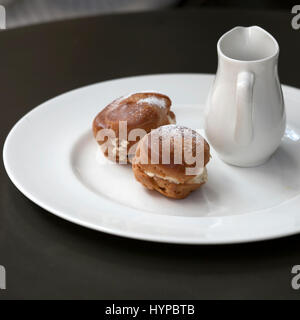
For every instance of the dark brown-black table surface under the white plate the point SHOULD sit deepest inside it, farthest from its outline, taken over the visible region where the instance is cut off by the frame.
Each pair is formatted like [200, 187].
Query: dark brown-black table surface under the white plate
[46, 257]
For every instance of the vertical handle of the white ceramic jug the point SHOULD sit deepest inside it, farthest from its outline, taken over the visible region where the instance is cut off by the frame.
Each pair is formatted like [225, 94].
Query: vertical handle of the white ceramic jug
[243, 132]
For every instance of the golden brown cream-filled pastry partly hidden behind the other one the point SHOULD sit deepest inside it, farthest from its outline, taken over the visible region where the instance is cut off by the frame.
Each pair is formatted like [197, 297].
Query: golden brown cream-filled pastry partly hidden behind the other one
[143, 111]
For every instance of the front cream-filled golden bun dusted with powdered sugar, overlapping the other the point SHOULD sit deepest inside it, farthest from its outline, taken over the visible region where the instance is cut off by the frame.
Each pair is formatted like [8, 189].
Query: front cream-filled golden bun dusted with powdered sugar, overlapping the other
[178, 174]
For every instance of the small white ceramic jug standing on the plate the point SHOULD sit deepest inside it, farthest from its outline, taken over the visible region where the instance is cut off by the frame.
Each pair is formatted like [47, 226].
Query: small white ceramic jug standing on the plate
[245, 116]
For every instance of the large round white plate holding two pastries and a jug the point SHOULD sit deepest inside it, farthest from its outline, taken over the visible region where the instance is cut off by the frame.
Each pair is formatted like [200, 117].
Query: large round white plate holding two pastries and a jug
[51, 156]
